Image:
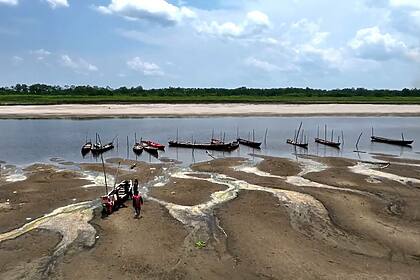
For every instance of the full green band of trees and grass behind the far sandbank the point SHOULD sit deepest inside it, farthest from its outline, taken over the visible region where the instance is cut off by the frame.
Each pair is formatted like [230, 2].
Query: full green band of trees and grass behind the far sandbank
[46, 94]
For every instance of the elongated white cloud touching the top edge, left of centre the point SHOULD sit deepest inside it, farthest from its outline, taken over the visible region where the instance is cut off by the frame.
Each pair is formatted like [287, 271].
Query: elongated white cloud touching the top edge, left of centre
[157, 11]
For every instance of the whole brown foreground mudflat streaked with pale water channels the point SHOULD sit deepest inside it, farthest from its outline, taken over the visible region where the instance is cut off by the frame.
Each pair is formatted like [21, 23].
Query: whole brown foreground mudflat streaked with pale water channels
[314, 218]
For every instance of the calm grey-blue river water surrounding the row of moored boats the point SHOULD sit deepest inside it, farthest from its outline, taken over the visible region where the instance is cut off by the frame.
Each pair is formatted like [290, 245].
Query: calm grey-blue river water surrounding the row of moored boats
[28, 141]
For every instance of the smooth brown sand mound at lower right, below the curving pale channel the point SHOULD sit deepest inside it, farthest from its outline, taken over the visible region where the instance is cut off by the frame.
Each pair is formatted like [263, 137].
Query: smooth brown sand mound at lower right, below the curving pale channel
[265, 246]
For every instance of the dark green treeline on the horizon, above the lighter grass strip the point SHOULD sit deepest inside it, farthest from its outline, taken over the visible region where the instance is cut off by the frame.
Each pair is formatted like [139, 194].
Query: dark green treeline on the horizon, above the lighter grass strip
[42, 89]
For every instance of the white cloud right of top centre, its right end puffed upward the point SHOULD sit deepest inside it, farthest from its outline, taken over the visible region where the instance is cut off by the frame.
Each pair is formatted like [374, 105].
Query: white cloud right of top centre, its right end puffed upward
[255, 24]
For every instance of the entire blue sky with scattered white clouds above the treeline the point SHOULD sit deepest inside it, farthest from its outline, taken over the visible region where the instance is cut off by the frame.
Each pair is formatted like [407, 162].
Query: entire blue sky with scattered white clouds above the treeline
[211, 43]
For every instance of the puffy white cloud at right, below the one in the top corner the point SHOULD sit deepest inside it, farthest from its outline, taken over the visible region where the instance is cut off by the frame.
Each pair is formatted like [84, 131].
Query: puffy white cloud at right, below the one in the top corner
[371, 43]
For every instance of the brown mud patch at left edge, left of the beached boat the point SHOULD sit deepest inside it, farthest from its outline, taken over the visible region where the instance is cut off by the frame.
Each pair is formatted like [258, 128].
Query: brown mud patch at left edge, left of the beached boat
[45, 189]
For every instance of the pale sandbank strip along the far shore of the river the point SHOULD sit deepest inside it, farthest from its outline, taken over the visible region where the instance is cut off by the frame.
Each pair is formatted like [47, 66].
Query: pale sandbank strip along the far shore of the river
[180, 110]
